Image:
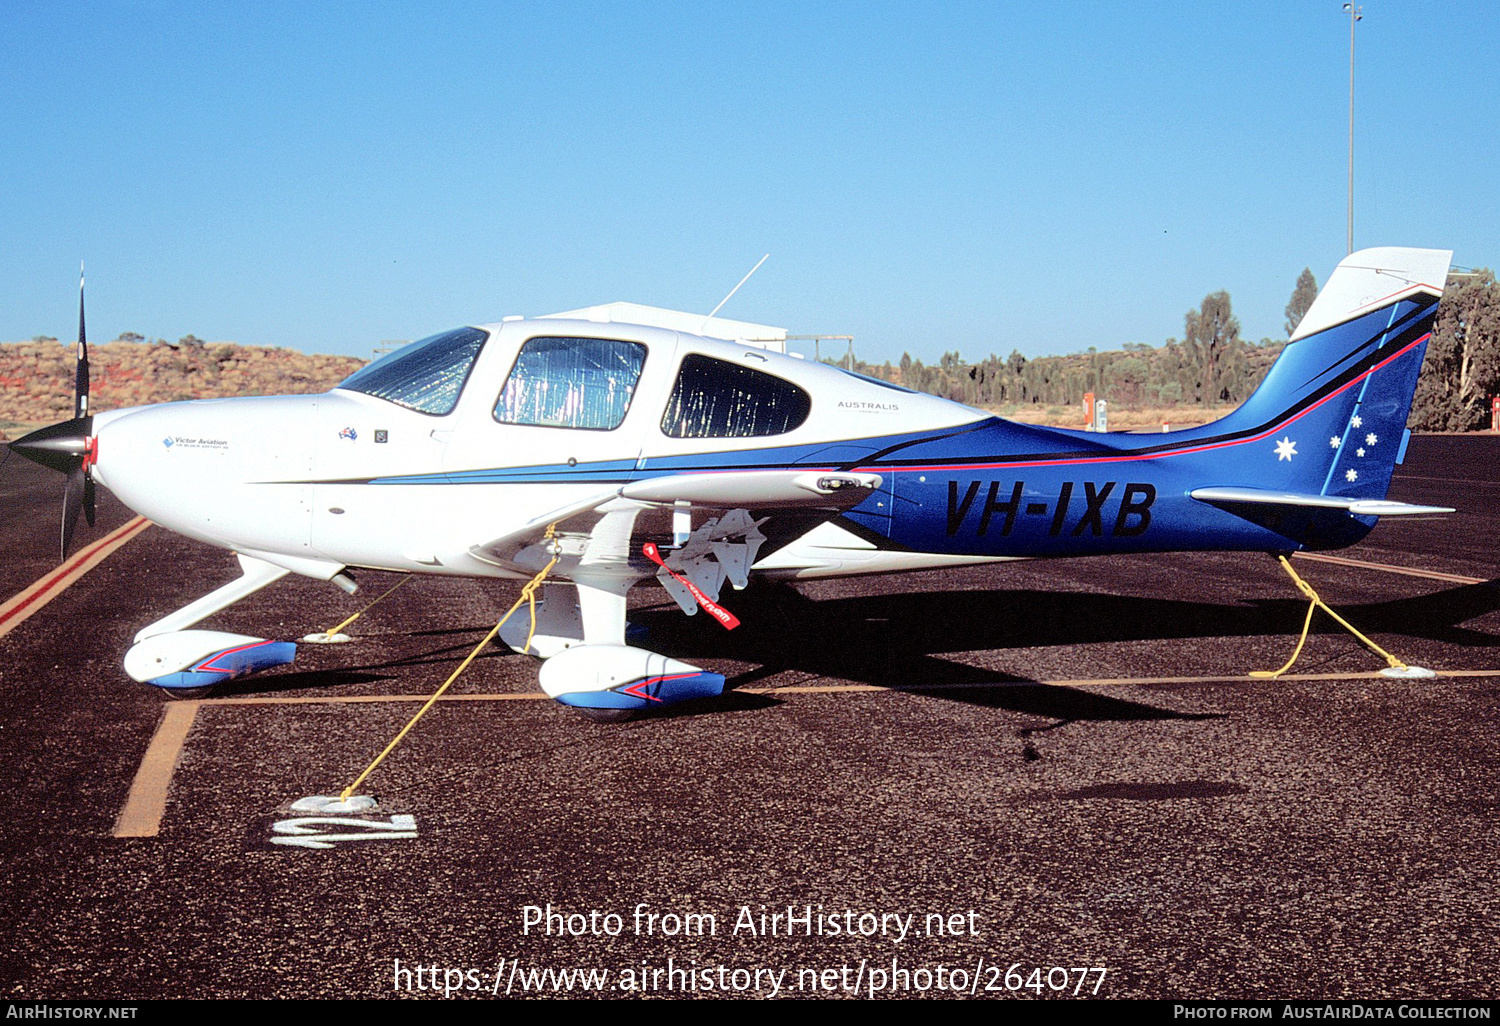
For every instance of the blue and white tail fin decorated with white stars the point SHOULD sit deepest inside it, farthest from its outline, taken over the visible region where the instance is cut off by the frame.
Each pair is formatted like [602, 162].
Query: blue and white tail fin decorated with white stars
[1336, 401]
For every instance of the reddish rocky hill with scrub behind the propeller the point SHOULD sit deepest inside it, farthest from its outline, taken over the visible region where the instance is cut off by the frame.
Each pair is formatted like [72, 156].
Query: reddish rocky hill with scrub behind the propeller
[37, 379]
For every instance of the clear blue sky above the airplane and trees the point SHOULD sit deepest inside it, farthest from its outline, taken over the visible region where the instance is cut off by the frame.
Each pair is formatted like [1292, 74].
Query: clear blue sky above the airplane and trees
[928, 178]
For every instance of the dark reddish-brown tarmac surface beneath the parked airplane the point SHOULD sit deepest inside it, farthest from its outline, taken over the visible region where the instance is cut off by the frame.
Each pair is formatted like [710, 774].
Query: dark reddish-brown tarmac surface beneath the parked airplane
[973, 749]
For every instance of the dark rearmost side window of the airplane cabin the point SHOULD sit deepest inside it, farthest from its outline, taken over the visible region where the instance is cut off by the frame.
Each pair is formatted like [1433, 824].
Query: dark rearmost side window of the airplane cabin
[721, 400]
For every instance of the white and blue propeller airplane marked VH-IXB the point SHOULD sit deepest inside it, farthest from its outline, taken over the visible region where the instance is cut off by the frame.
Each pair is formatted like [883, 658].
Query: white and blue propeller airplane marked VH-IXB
[638, 452]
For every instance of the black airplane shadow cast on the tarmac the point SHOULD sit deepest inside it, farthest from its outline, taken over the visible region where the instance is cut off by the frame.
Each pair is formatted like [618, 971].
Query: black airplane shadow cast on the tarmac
[898, 641]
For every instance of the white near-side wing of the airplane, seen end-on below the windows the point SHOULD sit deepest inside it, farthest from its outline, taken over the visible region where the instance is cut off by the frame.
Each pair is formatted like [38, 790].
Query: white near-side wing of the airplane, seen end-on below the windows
[598, 535]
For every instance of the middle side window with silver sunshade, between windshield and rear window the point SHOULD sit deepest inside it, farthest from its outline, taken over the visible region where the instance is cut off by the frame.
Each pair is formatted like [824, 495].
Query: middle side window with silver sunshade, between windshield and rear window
[572, 383]
